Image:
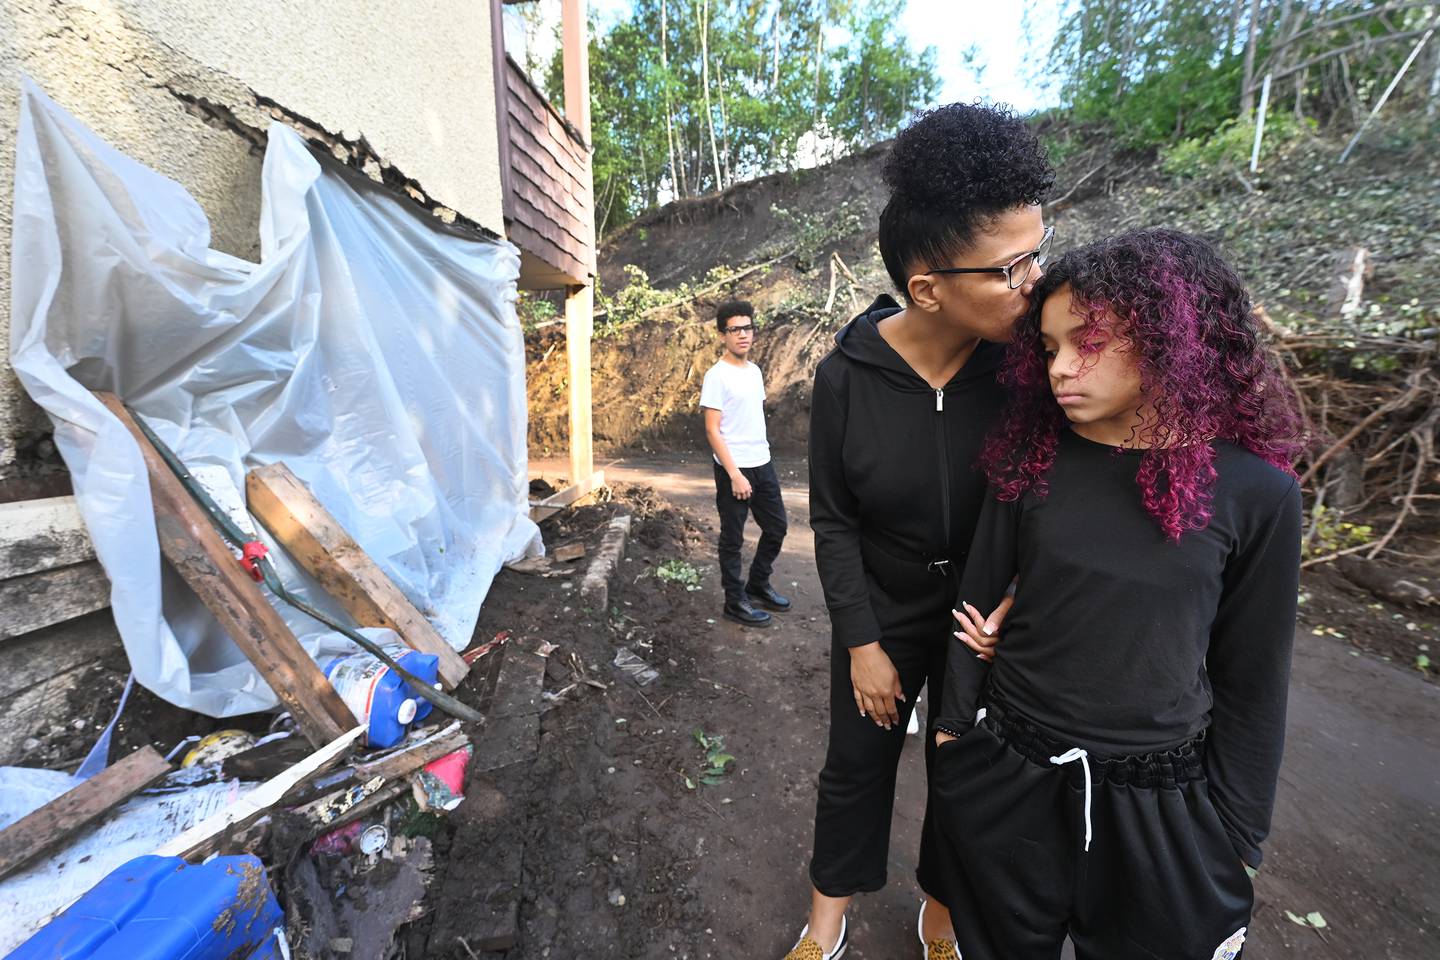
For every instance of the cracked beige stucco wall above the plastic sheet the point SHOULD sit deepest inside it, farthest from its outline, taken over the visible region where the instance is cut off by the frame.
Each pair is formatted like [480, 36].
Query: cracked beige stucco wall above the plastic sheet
[158, 78]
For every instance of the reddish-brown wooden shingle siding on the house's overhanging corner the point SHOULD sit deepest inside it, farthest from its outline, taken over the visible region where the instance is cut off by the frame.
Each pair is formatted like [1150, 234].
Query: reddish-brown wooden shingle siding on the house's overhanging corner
[549, 205]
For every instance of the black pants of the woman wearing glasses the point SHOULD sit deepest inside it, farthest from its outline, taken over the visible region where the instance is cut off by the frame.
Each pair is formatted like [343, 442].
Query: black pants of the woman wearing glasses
[858, 787]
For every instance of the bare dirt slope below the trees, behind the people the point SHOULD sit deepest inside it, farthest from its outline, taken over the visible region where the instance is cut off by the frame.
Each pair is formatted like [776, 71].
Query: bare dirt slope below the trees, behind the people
[1285, 228]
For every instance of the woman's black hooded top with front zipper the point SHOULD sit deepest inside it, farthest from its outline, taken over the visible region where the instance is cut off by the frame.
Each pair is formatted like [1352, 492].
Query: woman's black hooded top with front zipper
[894, 480]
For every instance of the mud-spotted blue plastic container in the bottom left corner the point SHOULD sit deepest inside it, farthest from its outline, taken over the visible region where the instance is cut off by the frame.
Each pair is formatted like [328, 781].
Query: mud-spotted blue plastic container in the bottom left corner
[163, 909]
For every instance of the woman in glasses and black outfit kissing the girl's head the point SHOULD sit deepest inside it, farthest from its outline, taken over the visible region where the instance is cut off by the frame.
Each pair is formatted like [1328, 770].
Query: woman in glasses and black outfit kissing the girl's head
[901, 408]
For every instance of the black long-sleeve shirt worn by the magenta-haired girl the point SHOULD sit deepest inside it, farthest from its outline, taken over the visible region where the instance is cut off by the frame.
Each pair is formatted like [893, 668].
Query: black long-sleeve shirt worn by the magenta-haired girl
[1124, 643]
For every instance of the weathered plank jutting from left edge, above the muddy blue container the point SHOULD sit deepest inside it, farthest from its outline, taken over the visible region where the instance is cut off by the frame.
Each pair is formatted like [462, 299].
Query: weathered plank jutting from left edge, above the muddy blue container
[66, 815]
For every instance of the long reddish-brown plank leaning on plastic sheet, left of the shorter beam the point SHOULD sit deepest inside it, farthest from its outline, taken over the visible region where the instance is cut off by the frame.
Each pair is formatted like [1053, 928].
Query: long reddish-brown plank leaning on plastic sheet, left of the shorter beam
[198, 553]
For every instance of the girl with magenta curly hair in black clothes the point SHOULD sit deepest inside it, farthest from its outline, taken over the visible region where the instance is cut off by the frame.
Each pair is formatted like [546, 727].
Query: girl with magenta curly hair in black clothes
[1108, 771]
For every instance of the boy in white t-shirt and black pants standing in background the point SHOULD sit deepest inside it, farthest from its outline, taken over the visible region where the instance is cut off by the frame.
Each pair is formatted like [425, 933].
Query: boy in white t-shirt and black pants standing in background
[734, 404]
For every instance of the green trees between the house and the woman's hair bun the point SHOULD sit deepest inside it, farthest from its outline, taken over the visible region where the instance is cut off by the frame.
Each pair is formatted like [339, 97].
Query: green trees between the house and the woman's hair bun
[690, 97]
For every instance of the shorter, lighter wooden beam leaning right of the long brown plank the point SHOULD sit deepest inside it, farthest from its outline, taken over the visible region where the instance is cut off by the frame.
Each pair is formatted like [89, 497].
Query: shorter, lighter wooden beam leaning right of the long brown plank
[322, 546]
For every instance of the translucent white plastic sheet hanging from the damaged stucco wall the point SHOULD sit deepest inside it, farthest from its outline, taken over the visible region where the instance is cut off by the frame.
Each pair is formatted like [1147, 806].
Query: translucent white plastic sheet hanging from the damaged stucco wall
[372, 350]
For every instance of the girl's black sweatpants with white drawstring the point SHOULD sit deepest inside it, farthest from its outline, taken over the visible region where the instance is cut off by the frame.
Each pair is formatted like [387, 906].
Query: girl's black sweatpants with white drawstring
[1161, 880]
